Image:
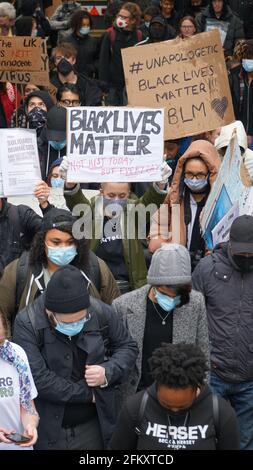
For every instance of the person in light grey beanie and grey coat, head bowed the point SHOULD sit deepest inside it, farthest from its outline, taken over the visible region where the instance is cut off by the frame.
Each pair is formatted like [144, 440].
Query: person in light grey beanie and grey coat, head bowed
[166, 309]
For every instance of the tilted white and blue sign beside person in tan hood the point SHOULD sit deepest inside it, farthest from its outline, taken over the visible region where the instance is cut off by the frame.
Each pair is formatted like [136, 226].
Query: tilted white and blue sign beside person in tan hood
[228, 198]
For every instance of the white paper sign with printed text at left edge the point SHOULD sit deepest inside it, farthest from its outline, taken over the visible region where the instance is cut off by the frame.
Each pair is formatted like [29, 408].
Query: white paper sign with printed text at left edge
[20, 161]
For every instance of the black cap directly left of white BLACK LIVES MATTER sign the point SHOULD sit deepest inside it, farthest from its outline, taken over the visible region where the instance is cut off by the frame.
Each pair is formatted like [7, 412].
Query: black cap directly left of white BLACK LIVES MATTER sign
[56, 123]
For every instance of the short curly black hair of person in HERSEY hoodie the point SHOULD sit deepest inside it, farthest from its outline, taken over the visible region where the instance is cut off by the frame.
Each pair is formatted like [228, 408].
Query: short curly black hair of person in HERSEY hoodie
[178, 365]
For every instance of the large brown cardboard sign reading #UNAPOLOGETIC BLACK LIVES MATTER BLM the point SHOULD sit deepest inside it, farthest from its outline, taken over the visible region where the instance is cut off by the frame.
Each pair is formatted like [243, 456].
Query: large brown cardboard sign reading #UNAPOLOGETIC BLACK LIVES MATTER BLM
[188, 78]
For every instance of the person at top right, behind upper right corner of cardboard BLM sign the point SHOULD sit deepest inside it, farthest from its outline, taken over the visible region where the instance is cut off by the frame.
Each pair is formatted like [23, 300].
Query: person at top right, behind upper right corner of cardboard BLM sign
[219, 15]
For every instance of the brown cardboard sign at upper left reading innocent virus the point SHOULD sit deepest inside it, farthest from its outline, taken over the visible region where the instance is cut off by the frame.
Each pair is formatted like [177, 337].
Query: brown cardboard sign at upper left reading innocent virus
[23, 60]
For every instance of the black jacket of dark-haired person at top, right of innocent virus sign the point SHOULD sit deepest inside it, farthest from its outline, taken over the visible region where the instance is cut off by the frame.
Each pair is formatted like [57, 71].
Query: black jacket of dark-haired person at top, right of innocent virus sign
[87, 53]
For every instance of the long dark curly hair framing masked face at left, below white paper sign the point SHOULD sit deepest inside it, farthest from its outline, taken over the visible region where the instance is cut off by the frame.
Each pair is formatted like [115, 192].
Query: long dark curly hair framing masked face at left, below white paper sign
[38, 253]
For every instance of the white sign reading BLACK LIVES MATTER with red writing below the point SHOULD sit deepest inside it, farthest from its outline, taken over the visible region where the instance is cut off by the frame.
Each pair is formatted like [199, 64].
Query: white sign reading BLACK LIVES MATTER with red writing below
[114, 144]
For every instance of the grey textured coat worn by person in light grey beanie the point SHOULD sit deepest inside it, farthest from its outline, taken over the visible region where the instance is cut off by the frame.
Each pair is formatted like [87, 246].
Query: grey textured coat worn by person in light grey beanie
[189, 325]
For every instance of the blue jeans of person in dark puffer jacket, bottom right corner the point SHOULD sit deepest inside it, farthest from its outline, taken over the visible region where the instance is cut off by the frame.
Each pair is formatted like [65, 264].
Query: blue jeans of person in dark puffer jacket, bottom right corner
[240, 396]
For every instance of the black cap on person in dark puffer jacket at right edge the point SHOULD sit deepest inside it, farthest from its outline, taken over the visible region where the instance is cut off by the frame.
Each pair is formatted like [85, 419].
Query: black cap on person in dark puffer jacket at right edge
[241, 235]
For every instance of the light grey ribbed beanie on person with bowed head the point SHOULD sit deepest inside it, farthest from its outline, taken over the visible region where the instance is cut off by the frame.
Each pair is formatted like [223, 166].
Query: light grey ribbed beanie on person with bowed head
[170, 266]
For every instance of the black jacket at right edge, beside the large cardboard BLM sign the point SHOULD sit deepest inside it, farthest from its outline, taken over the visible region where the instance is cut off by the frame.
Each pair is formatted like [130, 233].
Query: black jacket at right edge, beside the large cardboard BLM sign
[242, 107]
